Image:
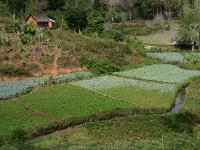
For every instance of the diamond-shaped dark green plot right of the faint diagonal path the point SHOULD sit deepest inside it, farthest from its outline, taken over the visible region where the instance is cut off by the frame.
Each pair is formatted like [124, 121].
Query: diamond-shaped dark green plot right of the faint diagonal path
[64, 101]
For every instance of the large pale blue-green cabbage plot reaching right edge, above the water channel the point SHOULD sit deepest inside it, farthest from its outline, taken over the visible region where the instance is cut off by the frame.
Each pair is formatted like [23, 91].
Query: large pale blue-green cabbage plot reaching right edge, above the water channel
[161, 72]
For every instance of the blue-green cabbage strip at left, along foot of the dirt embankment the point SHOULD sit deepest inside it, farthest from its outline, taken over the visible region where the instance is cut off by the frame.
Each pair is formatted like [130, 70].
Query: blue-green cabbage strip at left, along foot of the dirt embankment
[10, 89]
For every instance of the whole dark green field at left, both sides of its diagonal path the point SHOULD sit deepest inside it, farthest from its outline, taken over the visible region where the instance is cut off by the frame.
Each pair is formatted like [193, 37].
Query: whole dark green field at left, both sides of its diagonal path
[53, 103]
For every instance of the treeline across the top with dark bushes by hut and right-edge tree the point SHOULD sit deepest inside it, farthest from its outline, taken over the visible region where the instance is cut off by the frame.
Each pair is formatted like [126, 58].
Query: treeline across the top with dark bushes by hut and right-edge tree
[89, 16]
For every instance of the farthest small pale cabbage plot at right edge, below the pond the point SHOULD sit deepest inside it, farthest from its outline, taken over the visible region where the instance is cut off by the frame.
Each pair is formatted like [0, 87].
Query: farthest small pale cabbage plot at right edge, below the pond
[174, 56]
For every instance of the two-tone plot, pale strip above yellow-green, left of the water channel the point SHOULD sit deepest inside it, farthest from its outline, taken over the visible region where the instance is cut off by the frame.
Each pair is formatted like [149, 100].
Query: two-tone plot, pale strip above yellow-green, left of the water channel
[141, 93]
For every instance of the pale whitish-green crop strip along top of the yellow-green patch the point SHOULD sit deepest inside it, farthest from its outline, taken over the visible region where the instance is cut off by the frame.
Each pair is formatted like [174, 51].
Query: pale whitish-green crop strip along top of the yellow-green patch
[114, 81]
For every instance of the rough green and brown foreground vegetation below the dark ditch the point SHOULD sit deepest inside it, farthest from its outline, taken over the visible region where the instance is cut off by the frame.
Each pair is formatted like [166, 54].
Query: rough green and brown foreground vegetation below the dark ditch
[134, 132]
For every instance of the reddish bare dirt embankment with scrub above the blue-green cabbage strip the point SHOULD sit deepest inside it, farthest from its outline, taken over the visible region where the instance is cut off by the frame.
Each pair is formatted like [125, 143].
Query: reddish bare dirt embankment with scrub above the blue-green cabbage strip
[40, 62]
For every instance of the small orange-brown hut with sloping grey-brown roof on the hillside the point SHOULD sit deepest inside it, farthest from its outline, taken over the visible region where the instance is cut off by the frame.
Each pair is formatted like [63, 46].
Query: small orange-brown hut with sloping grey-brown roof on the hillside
[40, 21]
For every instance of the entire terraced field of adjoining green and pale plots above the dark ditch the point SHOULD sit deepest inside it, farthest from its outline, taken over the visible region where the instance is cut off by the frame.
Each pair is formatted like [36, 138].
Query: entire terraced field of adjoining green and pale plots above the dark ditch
[156, 88]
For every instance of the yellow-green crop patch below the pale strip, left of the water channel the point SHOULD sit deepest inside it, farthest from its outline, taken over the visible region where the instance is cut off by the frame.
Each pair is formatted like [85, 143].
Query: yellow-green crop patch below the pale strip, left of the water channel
[141, 97]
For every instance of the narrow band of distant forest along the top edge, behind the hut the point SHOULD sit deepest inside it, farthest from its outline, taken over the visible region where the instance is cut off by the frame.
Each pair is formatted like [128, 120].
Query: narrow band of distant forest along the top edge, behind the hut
[113, 10]
